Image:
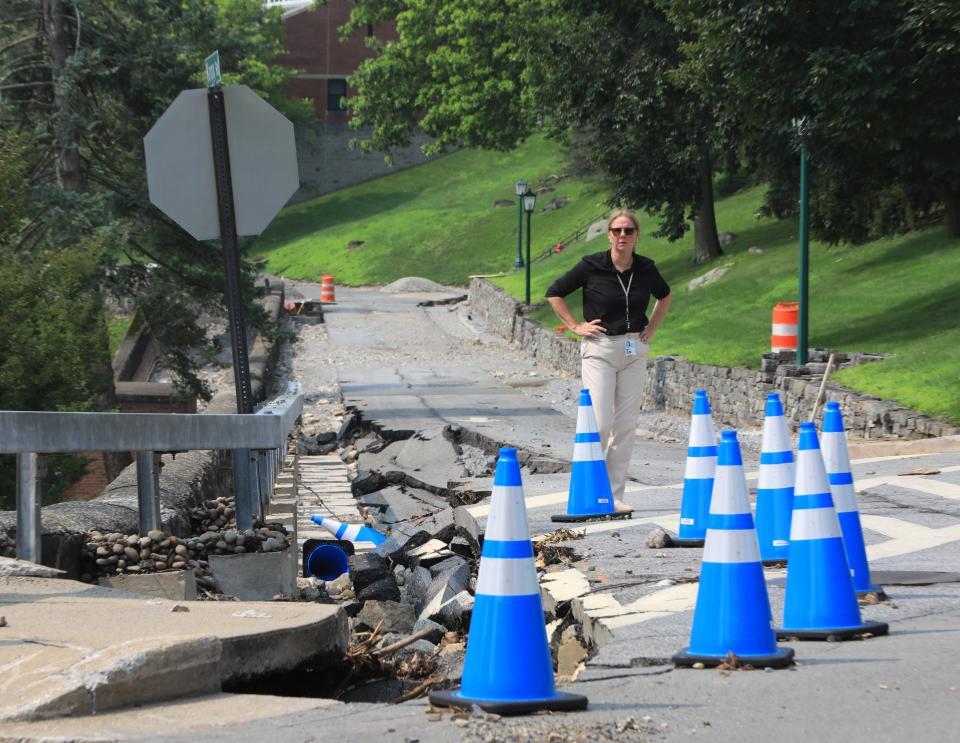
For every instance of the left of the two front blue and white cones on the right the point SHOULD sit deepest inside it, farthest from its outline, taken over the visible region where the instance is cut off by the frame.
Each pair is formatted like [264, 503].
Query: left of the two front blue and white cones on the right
[733, 609]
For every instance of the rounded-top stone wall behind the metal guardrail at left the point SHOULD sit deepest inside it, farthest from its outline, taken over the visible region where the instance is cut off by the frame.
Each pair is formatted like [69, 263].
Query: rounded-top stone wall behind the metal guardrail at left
[185, 479]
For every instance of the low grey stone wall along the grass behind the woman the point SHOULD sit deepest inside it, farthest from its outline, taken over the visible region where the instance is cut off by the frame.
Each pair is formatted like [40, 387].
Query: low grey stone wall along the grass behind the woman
[737, 394]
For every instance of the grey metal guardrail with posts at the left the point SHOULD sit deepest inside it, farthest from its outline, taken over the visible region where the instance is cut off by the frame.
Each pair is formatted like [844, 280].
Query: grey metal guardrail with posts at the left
[257, 444]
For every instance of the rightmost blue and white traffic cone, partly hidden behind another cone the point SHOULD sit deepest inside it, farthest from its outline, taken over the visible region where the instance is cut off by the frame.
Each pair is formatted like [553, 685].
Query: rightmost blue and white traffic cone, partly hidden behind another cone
[836, 458]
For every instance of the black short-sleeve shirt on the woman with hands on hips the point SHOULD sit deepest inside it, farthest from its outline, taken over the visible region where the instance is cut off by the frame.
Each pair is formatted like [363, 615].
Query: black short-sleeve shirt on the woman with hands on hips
[603, 295]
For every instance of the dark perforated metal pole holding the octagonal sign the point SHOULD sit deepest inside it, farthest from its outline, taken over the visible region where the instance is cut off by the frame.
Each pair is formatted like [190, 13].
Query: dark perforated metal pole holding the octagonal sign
[231, 251]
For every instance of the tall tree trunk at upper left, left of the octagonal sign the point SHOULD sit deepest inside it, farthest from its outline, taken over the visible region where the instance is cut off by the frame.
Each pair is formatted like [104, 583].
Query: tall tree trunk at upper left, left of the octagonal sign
[69, 165]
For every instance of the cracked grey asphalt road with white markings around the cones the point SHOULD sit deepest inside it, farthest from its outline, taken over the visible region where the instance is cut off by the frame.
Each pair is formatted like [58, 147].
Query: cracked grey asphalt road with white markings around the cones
[430, 396]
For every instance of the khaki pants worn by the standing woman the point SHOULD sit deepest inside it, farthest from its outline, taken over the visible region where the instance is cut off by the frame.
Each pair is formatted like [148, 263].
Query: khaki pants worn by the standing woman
[615, 381]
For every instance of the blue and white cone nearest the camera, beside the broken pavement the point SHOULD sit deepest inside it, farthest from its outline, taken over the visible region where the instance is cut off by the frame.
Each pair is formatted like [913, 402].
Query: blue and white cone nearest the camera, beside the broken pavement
[508, 669]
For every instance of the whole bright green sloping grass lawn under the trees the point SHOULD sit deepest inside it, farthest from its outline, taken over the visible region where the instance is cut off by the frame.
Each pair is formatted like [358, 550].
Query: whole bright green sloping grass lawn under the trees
[438, 220]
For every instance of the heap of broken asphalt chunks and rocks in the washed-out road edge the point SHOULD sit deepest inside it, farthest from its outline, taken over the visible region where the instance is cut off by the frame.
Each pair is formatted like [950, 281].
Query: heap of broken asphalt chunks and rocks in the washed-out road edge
[415, 594]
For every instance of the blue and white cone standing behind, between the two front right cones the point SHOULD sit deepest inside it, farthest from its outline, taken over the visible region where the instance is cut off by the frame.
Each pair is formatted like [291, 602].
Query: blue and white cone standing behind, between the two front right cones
[775, 484]
